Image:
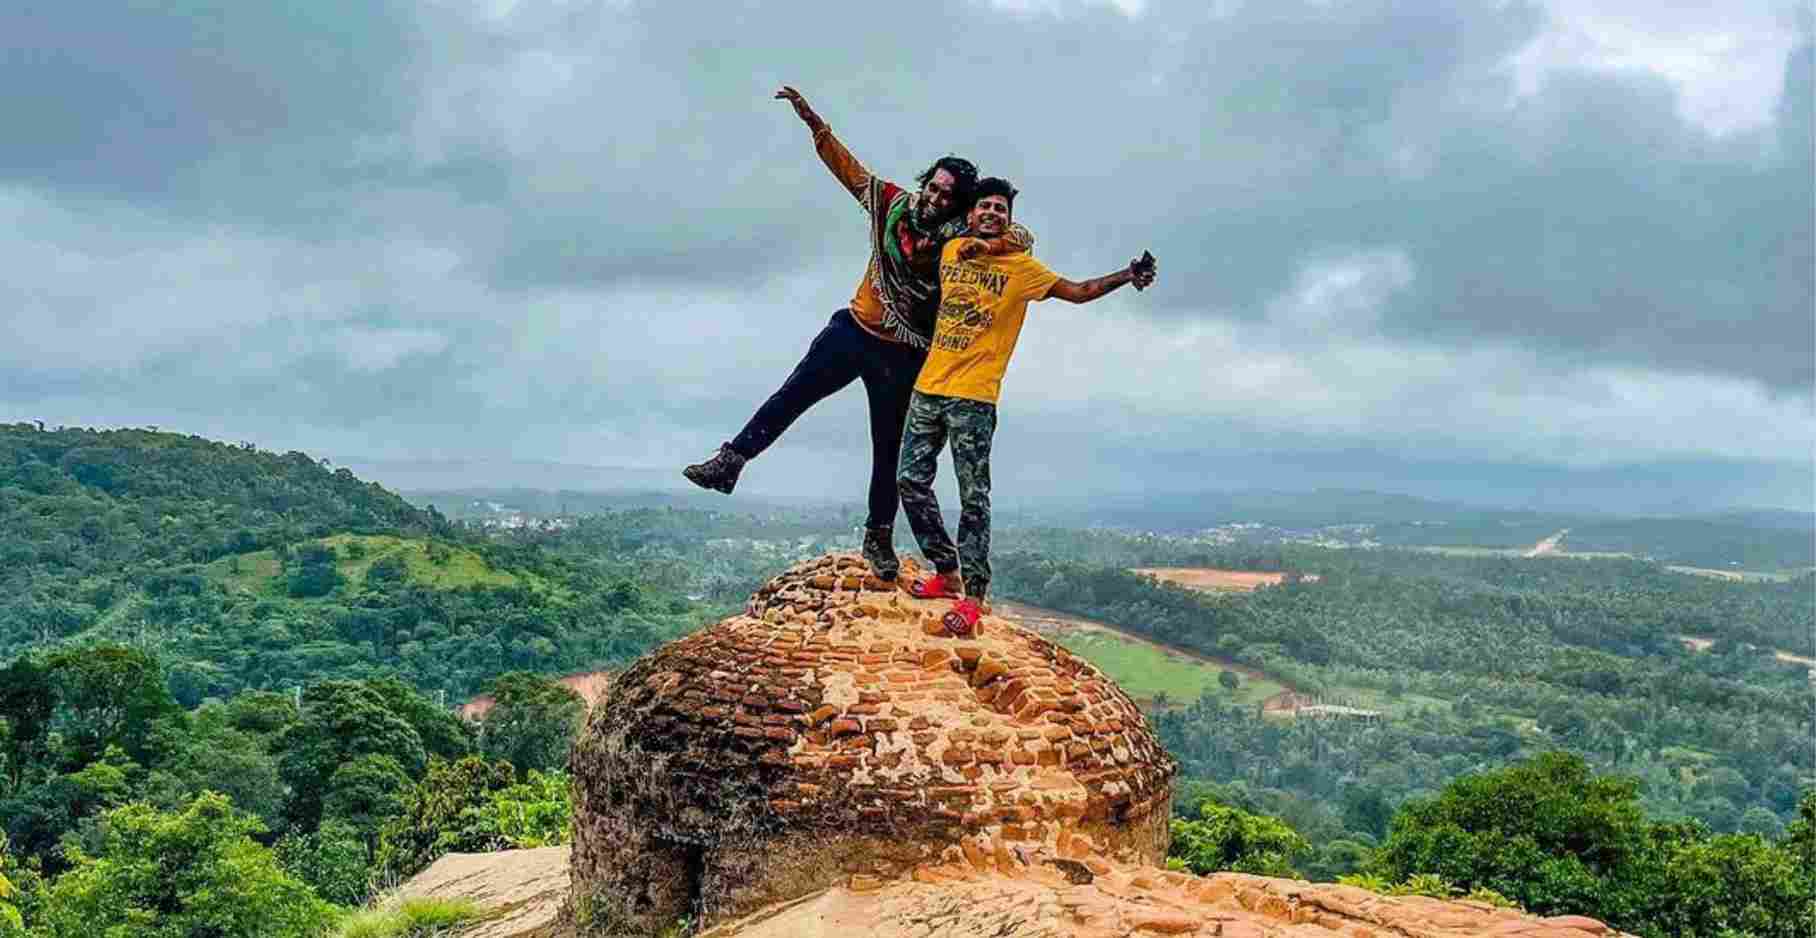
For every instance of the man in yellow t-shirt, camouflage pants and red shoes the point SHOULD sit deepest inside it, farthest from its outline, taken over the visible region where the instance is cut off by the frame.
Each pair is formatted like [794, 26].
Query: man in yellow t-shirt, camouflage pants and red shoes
[982, 309]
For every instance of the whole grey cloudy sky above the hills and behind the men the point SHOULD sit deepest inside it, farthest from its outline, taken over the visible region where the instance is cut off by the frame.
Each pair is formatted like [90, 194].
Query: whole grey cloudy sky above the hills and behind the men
[1550, 253]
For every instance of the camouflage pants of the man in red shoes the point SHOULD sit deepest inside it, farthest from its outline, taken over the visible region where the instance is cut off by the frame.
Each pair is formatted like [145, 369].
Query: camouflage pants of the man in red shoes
[971, 425]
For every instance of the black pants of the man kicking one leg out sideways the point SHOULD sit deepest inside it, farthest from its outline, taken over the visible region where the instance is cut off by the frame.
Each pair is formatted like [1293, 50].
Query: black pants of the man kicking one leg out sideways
[842, 355]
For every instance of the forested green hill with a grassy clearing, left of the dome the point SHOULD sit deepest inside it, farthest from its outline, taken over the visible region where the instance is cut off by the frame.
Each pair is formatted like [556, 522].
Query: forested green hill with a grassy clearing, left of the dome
[246, 569]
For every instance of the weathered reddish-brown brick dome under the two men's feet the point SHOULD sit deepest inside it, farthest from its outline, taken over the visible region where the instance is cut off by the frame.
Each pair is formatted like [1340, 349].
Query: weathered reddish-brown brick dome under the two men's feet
[836, 732]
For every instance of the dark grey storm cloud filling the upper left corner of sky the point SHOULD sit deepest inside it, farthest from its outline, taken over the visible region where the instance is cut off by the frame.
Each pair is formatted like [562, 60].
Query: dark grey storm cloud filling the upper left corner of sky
[197, 103]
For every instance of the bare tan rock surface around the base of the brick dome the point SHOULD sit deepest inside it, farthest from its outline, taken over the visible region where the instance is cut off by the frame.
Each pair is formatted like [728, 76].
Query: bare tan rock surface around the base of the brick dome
[520, 892]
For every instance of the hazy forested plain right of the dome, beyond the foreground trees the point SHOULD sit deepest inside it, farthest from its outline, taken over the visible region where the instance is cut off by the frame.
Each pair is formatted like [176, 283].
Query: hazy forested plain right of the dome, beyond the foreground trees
[1479, 661]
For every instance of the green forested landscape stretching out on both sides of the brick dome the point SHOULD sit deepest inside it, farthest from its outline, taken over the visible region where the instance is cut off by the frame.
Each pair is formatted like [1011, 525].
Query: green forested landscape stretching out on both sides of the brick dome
[228, 687]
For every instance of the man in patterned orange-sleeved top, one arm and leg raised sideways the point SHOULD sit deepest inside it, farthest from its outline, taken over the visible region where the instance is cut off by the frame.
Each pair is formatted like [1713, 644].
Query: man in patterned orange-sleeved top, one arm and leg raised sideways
[882, 337]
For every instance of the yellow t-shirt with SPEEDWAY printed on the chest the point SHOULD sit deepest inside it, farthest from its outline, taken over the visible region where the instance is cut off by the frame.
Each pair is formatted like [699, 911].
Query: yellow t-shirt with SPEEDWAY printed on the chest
[982, 309]
